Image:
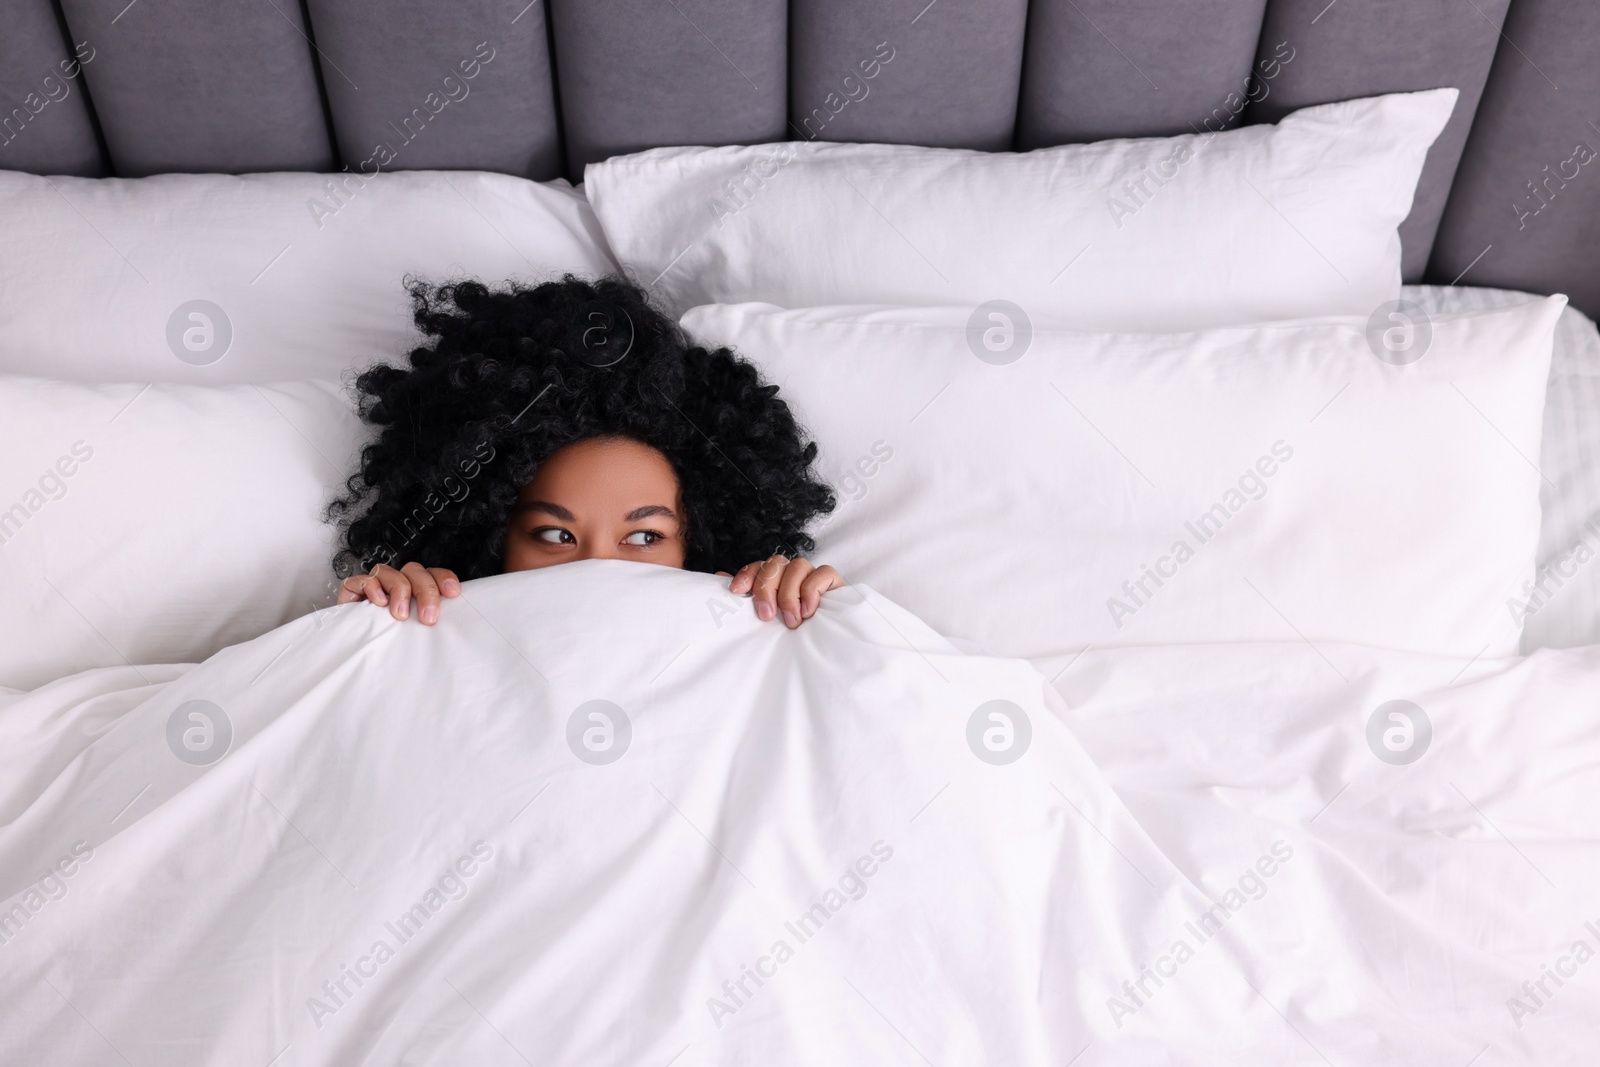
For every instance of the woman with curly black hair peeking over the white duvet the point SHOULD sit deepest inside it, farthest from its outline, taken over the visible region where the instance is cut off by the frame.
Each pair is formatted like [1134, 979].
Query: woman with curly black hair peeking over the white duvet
[572, 422]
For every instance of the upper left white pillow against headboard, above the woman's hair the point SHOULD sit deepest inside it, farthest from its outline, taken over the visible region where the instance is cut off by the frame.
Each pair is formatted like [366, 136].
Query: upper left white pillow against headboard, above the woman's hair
[303, 273]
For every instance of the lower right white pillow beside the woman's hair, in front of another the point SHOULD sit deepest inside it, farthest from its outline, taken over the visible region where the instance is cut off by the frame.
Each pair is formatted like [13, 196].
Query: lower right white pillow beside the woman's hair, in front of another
[1026, 505]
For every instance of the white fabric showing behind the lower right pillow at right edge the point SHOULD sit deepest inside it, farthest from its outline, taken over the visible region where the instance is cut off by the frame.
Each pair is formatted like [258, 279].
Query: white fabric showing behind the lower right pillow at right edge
[1564, 609]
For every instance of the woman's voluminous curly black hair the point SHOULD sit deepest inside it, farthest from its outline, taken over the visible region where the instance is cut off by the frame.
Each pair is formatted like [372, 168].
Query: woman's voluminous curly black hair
[508, 377]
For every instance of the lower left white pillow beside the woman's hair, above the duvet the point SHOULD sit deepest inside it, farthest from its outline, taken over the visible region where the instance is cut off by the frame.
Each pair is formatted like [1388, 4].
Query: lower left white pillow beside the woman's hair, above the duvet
[159, 524]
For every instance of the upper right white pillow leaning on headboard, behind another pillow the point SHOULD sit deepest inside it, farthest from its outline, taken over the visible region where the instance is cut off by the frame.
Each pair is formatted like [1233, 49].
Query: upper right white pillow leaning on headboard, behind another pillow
[1252, 225]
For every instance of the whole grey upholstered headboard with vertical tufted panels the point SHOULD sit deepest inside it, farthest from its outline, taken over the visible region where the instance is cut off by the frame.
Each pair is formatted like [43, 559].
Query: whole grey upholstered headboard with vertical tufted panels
[1511, 194]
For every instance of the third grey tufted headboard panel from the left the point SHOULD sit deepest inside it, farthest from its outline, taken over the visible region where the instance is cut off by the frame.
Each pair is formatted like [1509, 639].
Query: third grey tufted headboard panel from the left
[439, 87]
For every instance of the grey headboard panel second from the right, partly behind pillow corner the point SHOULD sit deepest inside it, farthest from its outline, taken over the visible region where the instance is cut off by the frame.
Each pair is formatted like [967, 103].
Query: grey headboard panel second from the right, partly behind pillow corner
[1354, 49]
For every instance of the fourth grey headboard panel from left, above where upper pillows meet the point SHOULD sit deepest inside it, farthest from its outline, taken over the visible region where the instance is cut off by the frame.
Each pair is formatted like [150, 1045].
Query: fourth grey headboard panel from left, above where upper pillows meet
[636, 74]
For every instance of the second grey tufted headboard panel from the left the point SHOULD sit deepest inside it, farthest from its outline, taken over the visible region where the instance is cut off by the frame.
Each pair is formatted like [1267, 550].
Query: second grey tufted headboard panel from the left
[194, 86]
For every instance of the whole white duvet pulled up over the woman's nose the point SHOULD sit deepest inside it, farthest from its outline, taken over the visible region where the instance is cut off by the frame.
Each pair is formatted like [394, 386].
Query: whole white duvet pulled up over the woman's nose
[601, 815]
